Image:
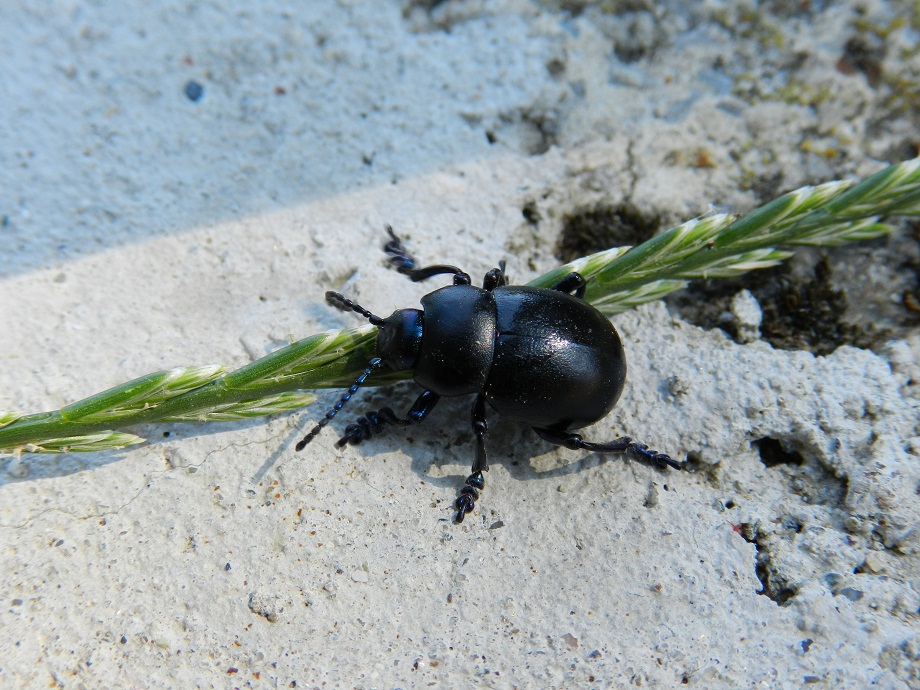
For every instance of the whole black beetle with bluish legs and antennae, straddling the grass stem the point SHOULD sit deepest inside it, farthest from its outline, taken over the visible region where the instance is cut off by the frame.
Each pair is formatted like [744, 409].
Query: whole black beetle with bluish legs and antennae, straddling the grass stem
[544, 357]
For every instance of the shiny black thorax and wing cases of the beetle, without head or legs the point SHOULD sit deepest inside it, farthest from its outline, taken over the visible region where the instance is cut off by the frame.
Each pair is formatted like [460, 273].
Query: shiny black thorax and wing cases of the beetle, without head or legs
[538, 356]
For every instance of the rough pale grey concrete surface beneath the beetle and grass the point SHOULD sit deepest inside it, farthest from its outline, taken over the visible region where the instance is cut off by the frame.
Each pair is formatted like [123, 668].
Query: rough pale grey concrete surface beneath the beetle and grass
[144, 230]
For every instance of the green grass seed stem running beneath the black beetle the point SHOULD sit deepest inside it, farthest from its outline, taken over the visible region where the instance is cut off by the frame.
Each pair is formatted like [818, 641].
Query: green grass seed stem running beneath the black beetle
[714, 246]
